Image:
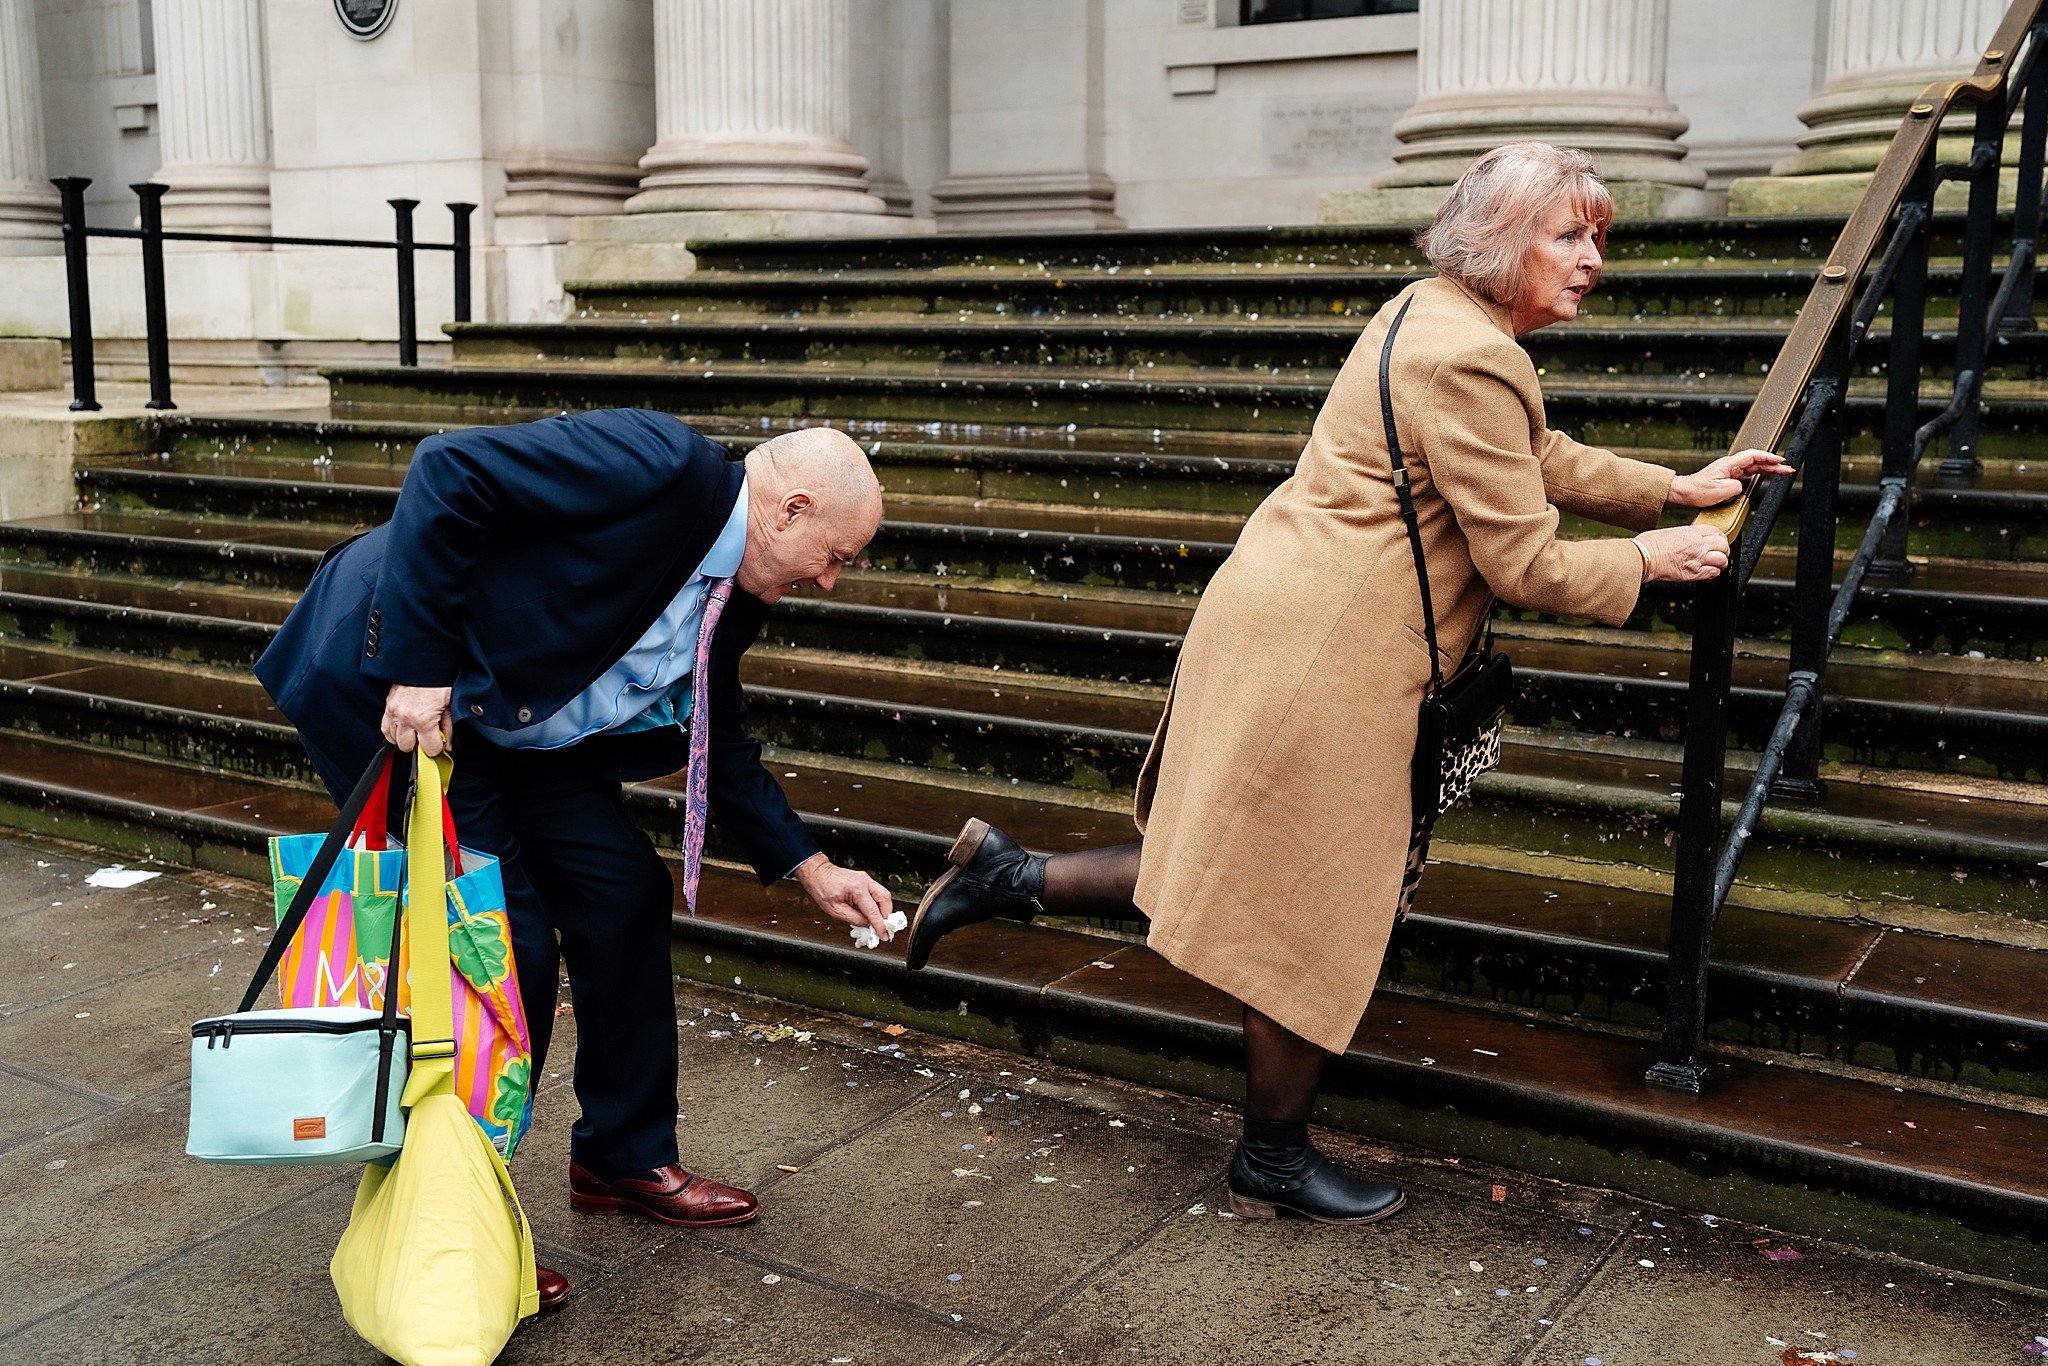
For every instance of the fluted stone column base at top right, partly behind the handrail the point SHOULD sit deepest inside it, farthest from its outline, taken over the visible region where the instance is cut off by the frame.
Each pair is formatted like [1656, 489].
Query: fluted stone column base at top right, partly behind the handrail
[1881, 54]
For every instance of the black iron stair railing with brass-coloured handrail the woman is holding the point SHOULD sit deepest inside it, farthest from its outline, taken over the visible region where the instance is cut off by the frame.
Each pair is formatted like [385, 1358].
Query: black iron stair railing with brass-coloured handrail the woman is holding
[1801, 404]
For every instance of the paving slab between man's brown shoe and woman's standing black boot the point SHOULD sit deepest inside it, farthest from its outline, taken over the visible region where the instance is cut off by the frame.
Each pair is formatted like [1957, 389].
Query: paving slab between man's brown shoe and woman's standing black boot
[978, 1215]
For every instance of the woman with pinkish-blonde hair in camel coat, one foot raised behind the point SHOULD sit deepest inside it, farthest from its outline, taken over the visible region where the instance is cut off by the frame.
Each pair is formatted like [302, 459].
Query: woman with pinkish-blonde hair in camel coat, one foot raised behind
[1275, 804]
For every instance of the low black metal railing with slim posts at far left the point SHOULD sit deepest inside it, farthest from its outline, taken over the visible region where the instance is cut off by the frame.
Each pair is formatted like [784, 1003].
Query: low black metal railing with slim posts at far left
[153, 237]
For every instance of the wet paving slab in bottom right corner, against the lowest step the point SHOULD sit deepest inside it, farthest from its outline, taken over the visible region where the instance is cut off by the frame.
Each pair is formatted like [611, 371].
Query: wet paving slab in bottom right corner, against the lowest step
[1715, 1295]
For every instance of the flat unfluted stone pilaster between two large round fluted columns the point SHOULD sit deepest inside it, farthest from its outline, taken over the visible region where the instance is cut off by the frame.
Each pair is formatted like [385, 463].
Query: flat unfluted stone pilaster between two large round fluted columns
[1029, 112]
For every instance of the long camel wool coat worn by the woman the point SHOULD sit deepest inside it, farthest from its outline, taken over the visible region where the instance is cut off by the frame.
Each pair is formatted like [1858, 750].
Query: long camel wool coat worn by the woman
[1275, 800]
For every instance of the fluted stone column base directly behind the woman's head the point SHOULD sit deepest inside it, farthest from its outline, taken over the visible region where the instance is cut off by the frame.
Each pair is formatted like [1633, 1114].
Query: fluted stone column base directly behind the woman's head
[1576, 73]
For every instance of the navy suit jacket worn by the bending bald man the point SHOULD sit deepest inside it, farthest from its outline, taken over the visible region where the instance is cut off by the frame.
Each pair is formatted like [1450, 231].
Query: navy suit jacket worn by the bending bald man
[519, 566]
